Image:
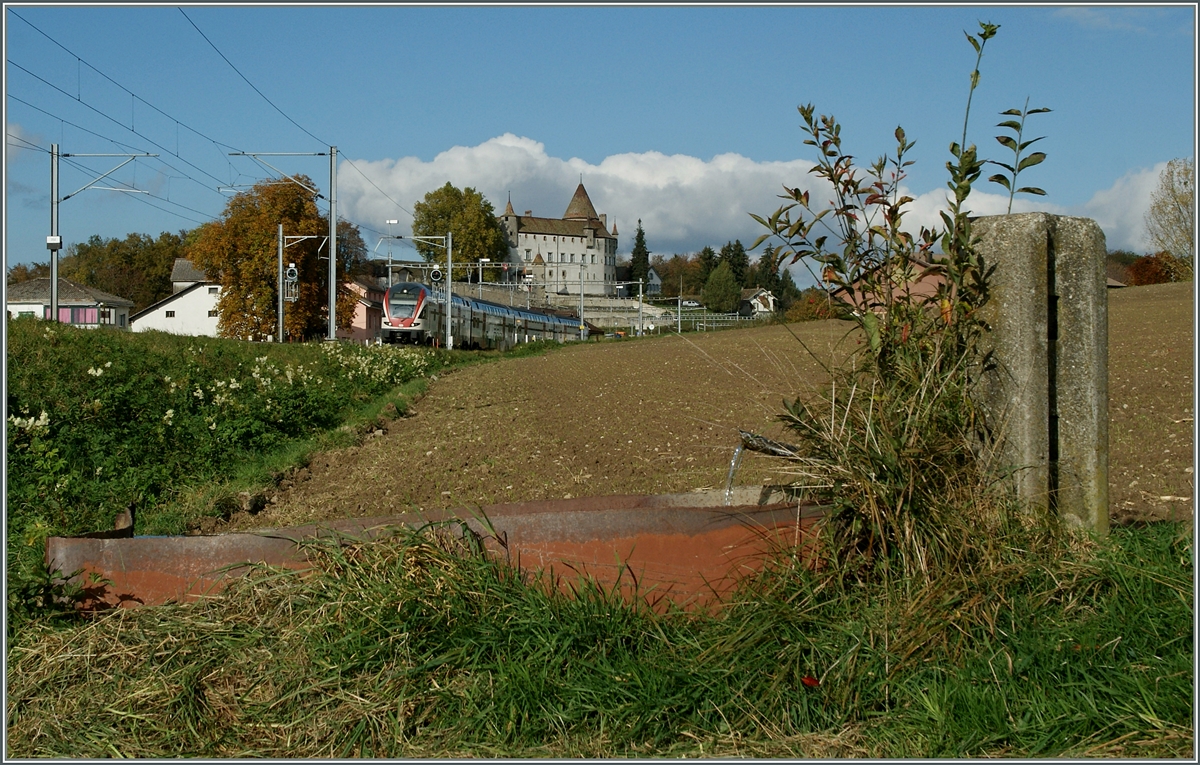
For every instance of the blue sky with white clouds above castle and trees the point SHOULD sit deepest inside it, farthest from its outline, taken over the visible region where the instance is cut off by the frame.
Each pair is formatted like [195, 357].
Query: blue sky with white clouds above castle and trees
[685, 118]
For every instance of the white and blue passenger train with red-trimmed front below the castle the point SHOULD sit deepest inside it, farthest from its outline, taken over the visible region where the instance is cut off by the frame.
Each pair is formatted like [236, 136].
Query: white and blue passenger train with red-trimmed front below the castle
[416, 315]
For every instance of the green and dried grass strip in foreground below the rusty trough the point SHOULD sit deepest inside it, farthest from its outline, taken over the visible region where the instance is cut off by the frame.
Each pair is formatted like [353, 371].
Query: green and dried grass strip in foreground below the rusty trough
[423, 647]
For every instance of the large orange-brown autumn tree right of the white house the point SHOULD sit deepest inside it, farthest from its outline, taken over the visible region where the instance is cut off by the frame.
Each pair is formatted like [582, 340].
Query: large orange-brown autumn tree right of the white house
[241, 250]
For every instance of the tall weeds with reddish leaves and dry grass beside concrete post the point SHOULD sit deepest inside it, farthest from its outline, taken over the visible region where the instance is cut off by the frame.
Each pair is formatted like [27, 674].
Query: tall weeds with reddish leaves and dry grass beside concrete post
[898, 445]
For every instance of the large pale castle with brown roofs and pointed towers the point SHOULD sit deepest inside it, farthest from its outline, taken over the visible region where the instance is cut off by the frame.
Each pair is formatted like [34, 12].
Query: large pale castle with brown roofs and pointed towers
[563, 255]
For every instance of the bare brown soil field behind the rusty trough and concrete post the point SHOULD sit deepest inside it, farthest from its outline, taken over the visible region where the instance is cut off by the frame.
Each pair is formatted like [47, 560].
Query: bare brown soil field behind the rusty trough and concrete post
[662, 415]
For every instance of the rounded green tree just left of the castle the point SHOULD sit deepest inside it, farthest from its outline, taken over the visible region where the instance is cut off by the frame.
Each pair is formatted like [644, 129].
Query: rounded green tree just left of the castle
[469, 216]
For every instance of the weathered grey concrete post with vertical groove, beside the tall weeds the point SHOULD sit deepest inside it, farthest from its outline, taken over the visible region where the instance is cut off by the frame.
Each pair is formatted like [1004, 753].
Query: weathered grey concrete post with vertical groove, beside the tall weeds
[1048, 395]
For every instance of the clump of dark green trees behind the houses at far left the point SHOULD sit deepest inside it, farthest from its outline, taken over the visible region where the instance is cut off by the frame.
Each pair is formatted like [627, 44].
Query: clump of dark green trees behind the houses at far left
[137, 268]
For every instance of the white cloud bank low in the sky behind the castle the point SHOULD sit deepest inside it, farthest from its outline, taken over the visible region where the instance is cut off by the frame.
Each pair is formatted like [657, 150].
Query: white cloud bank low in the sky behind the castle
[685, 203]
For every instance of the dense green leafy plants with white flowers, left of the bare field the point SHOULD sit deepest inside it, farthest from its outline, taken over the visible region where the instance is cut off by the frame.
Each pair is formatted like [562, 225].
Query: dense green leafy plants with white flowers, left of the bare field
[104, 421]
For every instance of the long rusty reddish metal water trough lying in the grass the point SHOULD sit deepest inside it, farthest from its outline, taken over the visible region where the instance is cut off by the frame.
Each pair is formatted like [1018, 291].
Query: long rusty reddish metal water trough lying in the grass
[686, 550]
